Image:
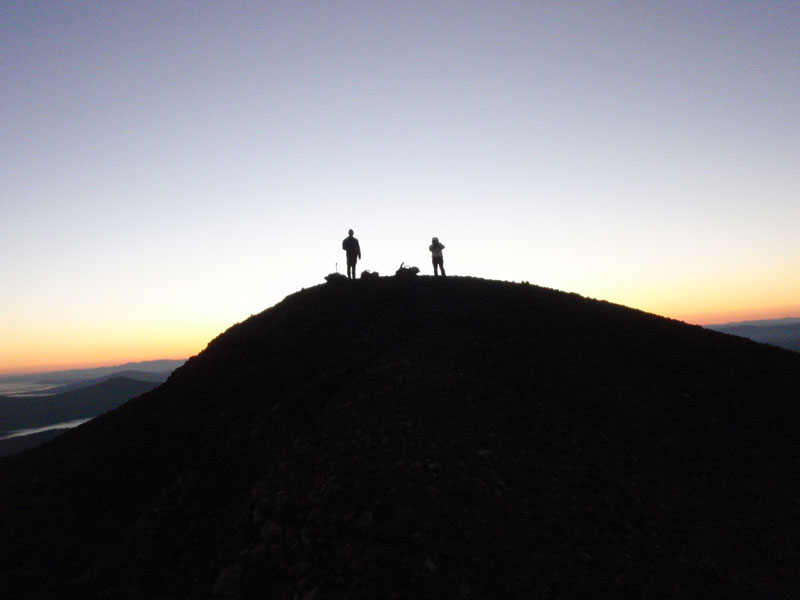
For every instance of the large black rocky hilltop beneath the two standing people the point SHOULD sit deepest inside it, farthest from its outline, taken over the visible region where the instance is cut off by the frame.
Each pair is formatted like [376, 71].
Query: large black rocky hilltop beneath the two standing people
[427, 438]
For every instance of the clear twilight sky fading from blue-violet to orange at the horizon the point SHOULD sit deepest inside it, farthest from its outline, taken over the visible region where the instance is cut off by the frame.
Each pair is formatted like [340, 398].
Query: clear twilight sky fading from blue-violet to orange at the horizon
[168, 169]
